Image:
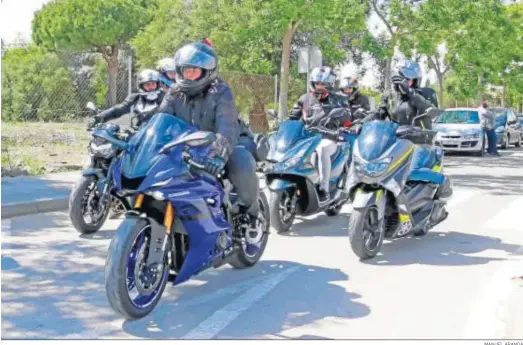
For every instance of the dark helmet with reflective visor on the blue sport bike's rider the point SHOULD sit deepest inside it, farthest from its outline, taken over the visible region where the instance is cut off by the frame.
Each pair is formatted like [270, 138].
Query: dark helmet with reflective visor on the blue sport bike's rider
[196, 55]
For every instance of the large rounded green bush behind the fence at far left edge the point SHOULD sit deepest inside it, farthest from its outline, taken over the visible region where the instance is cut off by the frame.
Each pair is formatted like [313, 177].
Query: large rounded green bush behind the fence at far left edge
[34, 85]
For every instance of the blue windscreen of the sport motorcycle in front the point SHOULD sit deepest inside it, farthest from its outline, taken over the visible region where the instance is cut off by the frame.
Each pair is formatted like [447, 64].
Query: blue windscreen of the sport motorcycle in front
[161, 129]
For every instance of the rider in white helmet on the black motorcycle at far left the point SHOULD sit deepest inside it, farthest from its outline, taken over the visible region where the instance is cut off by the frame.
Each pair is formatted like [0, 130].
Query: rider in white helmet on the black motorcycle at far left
[145, 102]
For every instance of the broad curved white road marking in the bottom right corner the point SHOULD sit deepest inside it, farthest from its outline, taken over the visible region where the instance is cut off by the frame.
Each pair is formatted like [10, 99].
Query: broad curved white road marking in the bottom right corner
[488, 316]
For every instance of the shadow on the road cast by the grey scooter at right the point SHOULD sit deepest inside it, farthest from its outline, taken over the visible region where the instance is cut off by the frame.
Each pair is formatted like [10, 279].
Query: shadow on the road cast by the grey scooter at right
[442, 249]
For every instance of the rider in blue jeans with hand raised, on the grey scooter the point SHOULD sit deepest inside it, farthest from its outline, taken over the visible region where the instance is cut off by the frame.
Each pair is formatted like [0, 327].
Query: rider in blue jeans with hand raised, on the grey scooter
[402, 104]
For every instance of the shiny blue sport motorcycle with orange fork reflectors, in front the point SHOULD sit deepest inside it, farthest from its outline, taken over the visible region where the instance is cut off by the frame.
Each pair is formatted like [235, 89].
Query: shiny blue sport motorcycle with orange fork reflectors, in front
[183, 220]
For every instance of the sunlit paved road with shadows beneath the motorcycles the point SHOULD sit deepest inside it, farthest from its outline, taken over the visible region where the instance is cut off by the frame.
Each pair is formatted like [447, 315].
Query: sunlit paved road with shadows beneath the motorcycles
[455, 282]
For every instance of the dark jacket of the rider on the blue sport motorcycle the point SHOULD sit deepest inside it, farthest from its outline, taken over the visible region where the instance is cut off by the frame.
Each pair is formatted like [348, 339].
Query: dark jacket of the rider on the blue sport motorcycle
[213, 110]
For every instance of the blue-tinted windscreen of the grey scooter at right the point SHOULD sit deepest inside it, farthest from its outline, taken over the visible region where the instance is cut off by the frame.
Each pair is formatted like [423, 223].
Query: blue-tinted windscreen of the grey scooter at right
[375, 138]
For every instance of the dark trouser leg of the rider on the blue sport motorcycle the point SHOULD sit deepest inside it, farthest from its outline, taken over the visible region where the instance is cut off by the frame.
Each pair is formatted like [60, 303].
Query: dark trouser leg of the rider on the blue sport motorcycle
[241, 171]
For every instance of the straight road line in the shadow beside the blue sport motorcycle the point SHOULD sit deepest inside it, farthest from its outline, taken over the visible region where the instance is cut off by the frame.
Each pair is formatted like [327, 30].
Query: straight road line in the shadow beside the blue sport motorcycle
[218, 321]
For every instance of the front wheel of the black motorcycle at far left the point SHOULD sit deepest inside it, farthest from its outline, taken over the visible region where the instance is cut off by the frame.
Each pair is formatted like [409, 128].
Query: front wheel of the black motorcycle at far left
[85, 196]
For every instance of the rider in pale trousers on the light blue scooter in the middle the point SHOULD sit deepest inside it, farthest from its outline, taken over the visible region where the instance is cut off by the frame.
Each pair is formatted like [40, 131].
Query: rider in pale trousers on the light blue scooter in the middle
[321, 82]
